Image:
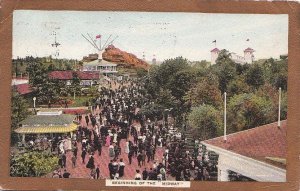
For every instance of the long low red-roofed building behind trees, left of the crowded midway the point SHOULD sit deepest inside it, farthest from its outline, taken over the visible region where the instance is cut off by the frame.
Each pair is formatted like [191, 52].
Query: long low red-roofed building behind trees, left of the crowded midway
[86, 77]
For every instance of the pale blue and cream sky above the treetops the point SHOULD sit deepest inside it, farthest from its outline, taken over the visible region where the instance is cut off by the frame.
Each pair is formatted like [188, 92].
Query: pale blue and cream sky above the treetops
[165, 35]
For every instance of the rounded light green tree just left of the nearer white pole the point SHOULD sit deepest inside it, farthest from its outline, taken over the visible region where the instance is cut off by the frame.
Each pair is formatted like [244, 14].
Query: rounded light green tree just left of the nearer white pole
[207, 121]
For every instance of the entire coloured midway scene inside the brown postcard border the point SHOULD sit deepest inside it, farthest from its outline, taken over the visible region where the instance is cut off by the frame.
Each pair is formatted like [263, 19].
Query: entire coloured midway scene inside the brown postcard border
[149, 96]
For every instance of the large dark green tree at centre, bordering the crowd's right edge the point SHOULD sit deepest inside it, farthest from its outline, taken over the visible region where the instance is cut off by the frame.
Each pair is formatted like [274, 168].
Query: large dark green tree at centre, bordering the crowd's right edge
[174, 75]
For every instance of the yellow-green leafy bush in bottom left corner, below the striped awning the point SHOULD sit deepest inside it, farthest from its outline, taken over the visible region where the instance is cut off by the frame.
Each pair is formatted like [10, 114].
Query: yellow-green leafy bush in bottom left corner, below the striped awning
[33, 164]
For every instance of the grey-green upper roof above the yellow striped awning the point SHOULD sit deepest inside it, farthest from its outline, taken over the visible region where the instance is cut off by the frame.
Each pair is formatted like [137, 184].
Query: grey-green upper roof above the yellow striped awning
[48, 120]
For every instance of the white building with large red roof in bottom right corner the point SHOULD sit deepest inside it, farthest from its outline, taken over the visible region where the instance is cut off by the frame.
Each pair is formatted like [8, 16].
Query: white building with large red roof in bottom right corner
[258, 153]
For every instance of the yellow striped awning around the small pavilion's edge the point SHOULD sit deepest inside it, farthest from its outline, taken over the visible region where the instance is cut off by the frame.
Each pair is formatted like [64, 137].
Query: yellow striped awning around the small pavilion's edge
[47, 129]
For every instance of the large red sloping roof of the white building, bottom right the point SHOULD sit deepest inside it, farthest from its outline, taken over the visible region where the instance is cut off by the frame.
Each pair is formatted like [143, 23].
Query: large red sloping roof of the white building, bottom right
[257, 143]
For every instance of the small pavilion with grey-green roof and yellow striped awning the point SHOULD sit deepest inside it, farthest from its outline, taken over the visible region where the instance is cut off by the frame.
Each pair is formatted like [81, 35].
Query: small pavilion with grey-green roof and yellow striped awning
[47, 122]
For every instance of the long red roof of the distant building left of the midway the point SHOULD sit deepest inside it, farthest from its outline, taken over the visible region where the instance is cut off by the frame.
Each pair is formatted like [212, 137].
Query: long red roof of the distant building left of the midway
[68, 75]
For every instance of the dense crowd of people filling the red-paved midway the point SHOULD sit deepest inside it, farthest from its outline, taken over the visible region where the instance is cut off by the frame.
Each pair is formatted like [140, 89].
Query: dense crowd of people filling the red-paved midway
[115, 117]
